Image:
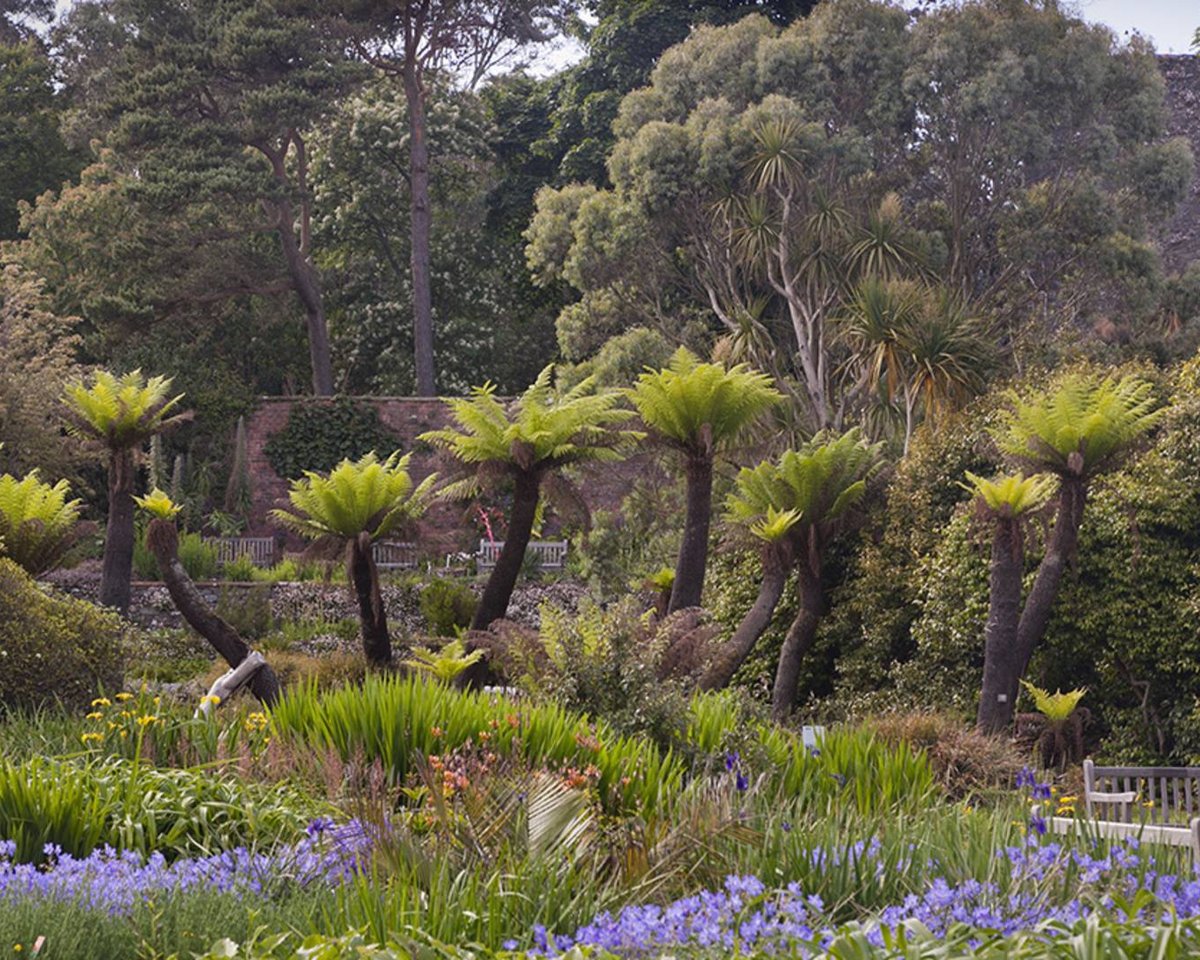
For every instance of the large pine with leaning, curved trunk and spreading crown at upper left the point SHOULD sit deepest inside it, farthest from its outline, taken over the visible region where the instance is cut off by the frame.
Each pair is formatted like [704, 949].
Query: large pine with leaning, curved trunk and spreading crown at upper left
[212, 105]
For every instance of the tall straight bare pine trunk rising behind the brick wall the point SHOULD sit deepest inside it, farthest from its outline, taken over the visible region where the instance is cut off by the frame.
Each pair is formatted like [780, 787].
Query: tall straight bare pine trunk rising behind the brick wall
[422, 229]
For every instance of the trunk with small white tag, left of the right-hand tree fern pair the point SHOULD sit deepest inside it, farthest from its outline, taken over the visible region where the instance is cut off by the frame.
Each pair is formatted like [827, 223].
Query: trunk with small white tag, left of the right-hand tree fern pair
[1001, 663]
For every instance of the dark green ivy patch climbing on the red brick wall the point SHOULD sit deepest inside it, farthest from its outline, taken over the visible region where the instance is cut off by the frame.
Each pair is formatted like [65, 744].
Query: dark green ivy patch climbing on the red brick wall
[322, 434]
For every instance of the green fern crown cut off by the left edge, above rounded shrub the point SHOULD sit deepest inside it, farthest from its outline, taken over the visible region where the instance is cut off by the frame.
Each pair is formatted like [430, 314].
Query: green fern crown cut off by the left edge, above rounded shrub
[38, 523]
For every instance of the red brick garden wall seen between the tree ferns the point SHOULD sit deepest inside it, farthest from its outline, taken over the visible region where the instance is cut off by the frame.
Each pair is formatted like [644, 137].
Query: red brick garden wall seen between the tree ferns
[447, 527]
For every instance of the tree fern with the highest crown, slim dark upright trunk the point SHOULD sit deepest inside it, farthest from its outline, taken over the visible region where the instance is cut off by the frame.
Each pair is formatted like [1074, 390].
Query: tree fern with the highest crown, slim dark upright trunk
[699, 410]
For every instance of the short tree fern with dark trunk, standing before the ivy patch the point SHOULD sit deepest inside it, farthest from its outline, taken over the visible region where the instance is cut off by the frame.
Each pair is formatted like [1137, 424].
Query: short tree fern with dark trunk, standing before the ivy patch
[357, 505]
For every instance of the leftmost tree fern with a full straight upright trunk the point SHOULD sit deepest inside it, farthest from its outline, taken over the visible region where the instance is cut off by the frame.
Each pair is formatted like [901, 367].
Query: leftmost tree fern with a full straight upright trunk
[118, 416]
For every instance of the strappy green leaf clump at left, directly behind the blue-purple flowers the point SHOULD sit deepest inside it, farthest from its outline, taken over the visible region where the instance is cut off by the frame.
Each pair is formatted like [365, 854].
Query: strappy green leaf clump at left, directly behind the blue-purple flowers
[85, 805]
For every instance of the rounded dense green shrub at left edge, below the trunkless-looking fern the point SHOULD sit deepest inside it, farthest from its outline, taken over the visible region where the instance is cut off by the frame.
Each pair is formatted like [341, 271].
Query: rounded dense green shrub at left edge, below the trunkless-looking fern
[53, 647]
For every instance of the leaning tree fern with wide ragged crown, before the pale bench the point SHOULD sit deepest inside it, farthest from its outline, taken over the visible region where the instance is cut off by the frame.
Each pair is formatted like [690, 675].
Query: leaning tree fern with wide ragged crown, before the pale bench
[525, 445]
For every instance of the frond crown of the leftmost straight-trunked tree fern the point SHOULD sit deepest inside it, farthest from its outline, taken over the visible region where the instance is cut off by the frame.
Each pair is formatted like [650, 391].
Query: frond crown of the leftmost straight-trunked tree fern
[122, 413]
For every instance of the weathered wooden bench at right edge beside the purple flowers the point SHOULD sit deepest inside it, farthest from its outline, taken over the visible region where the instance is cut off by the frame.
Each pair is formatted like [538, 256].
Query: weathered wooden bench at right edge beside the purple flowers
[1155, 805]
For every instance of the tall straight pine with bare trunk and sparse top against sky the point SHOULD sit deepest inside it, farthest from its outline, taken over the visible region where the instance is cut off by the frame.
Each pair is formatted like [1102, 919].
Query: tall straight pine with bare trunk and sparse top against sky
[413, 40]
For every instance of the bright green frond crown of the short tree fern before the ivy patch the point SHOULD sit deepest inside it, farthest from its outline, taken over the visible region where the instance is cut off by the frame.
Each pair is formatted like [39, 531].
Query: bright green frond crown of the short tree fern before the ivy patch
[364, 496]
